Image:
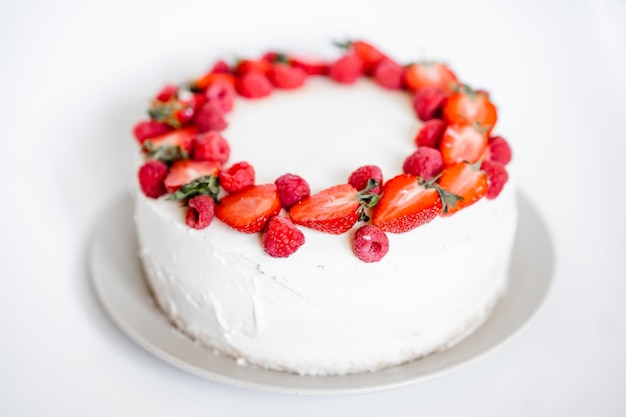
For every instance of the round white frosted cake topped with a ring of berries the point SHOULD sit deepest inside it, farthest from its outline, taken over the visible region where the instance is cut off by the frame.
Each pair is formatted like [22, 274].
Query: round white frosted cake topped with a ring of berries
[245, 177]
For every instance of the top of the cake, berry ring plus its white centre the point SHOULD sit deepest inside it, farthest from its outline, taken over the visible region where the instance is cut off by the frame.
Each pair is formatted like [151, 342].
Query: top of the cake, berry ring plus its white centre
[364, 142]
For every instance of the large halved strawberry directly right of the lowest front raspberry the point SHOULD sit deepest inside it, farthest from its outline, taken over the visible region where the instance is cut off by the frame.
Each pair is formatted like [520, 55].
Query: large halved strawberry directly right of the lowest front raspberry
[406, 204]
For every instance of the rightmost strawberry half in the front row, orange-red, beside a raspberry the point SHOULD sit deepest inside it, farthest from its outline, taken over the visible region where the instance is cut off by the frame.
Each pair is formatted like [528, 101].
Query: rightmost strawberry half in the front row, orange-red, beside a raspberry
[465, 181]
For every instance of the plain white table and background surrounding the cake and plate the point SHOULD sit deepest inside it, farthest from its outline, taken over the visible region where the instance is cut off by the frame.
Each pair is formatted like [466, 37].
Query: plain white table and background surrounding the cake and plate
[74, 76]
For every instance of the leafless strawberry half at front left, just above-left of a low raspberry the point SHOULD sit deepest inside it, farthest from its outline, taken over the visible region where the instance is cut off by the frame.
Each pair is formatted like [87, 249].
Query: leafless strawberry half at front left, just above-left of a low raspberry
[248, 211]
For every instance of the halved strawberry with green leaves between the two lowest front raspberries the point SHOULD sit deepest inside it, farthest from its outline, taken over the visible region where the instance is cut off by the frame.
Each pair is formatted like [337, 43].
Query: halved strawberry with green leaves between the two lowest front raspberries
[333, 210]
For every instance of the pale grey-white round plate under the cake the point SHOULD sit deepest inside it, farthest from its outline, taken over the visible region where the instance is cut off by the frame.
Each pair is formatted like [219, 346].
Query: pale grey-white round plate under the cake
[119, 281]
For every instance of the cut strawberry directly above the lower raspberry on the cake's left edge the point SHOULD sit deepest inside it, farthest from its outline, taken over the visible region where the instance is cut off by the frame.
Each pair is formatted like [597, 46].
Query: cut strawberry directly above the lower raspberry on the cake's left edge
[170, 146]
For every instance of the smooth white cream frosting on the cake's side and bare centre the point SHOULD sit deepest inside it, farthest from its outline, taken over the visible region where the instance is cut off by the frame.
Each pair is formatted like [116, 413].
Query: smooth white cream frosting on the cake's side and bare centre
[322, 310]
